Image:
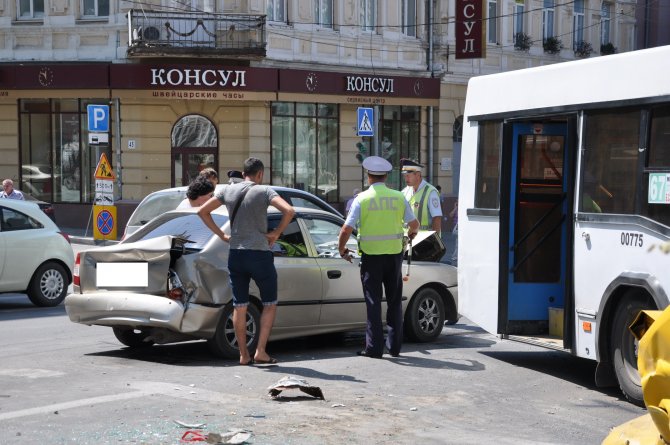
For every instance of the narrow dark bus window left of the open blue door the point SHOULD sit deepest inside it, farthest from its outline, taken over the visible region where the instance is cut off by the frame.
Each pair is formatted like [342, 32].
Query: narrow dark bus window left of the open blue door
[488, 165]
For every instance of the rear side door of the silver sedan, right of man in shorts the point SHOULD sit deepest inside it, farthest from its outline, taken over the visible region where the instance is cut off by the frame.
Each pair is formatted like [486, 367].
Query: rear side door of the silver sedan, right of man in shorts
[298, 280]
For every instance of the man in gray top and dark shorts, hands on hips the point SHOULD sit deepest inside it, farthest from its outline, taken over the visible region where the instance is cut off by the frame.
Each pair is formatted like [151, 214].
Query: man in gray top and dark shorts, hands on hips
[250, 255]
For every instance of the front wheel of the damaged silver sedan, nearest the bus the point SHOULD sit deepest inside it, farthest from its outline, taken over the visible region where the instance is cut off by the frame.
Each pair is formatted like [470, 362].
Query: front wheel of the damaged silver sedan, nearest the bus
[425, 316]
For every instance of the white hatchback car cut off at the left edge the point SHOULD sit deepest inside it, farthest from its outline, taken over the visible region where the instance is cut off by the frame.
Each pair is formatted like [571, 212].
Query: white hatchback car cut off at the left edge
[35, 256]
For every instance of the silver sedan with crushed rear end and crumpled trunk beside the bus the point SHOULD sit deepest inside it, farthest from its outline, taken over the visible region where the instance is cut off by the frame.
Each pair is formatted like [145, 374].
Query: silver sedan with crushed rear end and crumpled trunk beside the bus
[168, 282]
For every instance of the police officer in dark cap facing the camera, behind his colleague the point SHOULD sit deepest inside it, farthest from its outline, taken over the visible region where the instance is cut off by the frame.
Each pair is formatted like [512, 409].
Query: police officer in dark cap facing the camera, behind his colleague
[423, 197]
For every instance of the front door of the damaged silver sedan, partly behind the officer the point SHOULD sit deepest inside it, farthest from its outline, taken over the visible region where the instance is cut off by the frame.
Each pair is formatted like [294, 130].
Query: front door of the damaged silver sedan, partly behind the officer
[343, 303]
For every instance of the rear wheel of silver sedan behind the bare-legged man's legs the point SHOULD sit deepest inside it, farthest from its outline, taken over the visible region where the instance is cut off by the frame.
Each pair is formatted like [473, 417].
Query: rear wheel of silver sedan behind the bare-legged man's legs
[224, 342]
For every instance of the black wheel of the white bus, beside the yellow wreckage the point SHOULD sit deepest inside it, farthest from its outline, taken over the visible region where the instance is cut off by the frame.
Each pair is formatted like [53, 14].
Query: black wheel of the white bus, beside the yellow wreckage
[625, 347]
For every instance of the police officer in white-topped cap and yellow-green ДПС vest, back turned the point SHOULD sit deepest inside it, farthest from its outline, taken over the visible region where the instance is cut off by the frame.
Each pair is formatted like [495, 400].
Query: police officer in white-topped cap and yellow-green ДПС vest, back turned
[380, 213]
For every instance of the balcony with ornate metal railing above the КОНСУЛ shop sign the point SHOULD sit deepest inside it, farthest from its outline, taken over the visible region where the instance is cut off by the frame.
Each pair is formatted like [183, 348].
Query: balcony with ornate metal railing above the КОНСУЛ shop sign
[187, 34]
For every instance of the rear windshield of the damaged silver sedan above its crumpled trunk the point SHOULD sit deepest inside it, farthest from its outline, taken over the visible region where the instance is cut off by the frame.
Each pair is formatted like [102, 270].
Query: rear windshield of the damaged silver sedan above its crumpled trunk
[189, 226]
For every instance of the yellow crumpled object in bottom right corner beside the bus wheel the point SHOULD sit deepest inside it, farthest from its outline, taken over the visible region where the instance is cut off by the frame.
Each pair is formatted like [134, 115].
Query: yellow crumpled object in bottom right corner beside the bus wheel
[652, 329]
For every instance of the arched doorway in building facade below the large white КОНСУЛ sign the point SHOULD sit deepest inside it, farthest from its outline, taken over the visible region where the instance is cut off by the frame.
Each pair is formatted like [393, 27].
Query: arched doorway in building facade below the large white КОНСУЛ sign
[194, 147]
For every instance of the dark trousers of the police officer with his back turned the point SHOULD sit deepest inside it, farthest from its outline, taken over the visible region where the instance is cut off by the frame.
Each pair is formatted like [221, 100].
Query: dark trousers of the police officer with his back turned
[382, 272]
